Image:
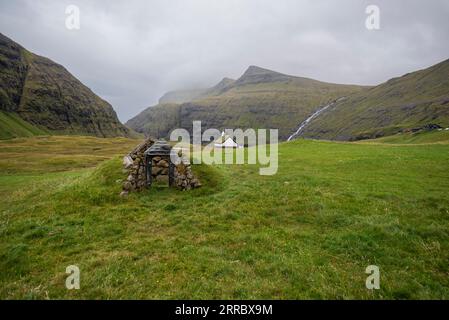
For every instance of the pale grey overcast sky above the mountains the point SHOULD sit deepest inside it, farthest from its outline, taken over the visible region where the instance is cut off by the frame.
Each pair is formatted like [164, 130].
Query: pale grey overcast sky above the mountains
[131, 52]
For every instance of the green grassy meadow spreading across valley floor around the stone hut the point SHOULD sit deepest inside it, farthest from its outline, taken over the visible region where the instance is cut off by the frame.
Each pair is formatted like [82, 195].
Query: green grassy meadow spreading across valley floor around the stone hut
[307, 232]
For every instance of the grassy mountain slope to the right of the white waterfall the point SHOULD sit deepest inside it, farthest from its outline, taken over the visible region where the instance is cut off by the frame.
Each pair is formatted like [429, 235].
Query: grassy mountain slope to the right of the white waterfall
[412, 101]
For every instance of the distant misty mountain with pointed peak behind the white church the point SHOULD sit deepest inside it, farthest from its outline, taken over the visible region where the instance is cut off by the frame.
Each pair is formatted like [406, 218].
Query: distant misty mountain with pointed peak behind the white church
[260, 98]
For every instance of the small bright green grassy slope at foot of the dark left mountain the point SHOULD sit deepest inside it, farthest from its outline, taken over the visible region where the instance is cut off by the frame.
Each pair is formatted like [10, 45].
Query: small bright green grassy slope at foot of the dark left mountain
[12, 126]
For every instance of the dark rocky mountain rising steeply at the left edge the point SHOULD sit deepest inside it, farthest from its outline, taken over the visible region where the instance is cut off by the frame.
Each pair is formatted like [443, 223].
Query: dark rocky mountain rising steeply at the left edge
[42, 96]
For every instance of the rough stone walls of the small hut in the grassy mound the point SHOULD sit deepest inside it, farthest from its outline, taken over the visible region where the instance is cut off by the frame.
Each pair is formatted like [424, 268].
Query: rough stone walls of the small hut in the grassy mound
[136, 170]
